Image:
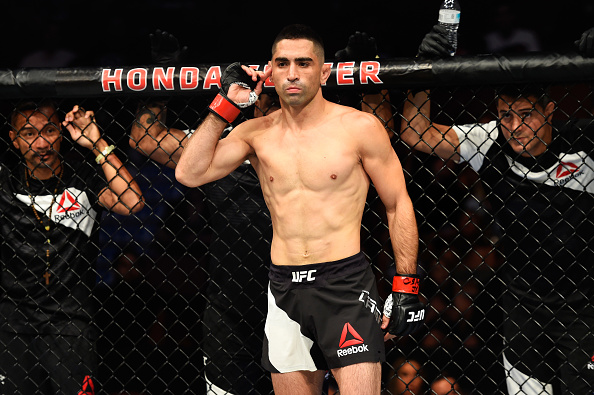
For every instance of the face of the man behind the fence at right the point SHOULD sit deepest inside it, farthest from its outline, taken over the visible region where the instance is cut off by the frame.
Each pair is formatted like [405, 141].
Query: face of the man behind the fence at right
[525, 124]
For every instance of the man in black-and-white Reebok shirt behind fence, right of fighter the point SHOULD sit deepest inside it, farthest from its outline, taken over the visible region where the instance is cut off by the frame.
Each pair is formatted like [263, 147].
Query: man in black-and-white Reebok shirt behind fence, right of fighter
[539, 177]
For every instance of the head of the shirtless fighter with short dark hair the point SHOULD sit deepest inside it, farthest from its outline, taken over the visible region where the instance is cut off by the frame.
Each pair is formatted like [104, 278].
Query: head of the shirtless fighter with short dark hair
[298, 71]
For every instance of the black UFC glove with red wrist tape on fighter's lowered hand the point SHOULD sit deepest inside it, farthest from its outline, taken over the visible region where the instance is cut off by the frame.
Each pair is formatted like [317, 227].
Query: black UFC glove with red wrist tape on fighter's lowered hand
[403, 307]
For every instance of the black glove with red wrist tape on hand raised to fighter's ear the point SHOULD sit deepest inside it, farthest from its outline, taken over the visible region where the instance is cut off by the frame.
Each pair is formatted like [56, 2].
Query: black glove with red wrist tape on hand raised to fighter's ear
[222, 106]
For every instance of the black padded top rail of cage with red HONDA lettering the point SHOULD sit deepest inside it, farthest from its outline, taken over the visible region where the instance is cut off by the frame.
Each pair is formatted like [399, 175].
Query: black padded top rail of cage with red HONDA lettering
[204, 79]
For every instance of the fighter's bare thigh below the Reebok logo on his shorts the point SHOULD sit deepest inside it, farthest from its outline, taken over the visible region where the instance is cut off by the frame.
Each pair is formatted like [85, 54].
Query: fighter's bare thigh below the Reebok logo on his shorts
[359, 379]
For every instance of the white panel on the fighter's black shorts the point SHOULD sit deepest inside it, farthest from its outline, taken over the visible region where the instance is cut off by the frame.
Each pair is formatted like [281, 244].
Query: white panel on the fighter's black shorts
[288, 348]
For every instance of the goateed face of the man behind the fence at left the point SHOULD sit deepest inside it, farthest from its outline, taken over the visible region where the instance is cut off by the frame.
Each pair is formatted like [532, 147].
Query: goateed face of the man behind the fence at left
[38, 137]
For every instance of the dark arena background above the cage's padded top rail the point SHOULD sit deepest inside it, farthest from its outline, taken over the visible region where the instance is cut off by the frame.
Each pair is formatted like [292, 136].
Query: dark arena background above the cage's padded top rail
[109, 32]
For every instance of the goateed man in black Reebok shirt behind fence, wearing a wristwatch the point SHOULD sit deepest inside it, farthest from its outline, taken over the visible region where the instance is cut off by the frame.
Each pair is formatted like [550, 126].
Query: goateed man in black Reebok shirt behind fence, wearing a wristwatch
[49, 212]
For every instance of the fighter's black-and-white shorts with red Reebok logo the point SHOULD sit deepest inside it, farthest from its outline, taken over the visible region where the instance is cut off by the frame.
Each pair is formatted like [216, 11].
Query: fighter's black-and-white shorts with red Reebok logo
[322, 316]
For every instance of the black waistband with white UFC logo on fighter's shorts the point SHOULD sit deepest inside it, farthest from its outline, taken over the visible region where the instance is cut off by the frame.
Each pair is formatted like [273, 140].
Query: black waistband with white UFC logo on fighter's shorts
[325, 270]
